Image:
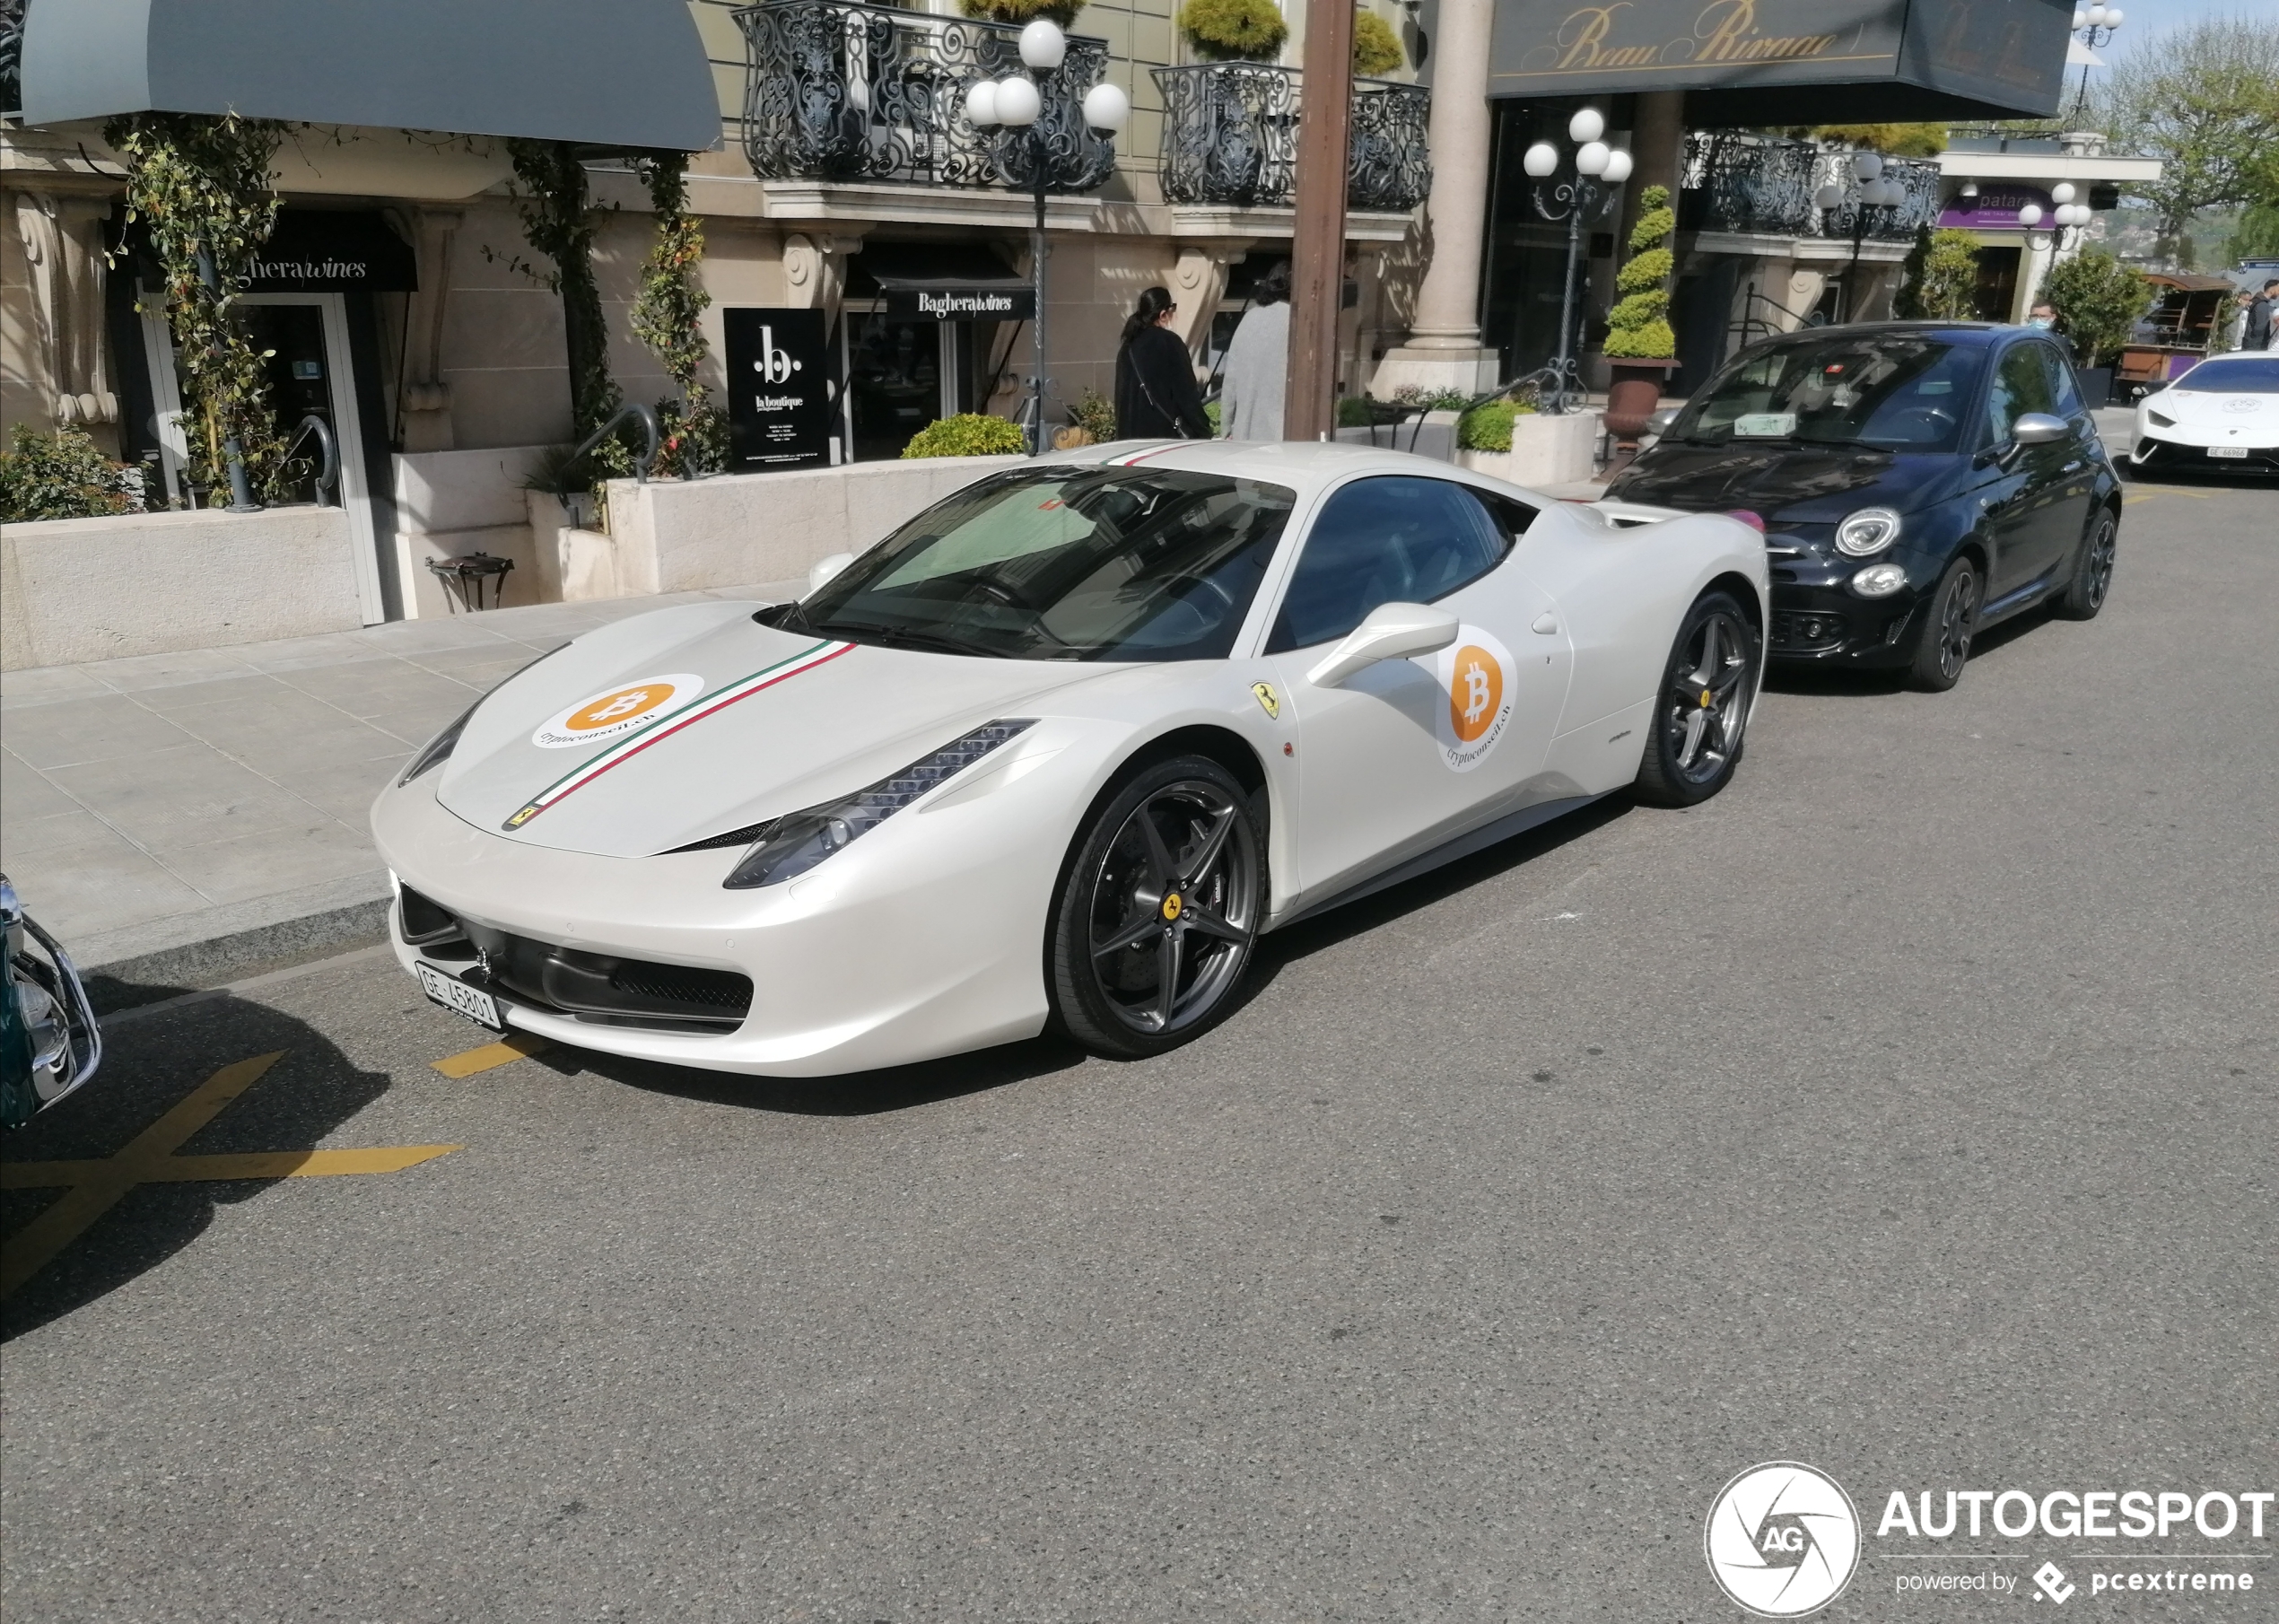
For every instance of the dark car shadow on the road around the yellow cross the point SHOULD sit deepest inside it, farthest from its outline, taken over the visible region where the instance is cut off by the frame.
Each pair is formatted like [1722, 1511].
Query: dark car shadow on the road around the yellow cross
[154, 1065]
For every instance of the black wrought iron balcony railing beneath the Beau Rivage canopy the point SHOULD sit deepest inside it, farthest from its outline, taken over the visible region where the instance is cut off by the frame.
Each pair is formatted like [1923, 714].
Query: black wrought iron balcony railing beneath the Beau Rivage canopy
[1745, 183]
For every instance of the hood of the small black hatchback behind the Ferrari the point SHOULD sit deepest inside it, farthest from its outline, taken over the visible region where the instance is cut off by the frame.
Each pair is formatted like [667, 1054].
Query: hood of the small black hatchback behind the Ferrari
[1783, 482]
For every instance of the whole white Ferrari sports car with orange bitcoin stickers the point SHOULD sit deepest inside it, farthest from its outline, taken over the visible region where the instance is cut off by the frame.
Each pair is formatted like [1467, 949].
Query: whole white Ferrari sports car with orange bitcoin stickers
[1056, 753]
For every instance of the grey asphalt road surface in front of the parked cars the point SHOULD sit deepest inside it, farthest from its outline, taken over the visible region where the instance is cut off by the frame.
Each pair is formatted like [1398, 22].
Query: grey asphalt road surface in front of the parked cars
[1906, 1113]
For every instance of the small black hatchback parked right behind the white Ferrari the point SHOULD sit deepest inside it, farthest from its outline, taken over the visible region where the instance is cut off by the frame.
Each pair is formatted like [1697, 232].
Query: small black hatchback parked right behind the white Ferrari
[1918, 482]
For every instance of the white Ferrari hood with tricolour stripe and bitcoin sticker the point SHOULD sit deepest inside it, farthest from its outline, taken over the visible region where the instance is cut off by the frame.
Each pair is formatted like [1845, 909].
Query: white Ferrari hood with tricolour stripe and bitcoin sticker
[694, 721]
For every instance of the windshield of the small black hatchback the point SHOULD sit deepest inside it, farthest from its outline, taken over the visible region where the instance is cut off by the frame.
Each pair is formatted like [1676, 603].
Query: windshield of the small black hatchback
[1881, 391]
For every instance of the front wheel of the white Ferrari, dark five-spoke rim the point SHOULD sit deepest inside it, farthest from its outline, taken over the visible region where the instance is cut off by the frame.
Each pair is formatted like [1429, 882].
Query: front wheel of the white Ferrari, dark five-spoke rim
[1159, 910]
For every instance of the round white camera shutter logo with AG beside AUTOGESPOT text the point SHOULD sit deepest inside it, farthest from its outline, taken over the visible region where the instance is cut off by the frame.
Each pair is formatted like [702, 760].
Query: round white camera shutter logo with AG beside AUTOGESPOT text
[1783, 1541]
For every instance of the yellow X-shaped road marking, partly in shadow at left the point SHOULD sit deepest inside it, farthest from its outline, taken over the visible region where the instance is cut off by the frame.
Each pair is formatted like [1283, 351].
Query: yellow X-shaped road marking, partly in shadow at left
[95, 1188]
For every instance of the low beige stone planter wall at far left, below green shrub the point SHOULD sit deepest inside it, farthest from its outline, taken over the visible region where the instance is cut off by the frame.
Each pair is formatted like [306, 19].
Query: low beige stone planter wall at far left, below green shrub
[79, 591]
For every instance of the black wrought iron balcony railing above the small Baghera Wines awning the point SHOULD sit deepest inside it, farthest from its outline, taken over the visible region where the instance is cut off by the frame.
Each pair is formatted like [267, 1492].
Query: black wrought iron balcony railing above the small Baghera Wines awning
[865, 92]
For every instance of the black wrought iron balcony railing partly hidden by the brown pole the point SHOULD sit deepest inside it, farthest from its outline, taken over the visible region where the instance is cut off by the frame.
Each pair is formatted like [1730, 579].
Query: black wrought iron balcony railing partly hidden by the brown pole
[1230, 136]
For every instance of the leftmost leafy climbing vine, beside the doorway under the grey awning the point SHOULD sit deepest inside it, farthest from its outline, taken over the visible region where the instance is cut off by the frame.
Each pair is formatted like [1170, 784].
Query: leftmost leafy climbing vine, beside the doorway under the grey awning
[199, 186]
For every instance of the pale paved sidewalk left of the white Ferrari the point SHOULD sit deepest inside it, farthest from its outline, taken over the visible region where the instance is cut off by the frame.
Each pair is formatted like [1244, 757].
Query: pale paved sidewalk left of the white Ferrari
[181, 798]
